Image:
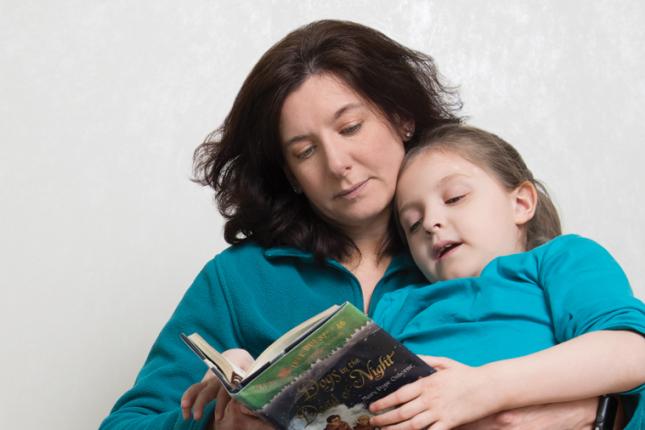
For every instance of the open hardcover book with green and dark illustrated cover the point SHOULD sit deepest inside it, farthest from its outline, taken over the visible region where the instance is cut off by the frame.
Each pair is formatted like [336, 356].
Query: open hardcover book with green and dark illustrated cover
[321, 374]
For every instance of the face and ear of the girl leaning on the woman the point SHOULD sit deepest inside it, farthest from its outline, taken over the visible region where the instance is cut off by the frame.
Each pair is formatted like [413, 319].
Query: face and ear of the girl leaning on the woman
[456, 216]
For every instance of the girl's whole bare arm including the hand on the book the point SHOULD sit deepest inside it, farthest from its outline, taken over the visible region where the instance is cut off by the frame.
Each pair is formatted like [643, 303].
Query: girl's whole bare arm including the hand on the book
[588, 366]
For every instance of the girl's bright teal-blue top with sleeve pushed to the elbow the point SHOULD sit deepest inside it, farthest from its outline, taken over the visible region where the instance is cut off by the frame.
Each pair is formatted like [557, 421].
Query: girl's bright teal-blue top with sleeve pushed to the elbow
[520, 304]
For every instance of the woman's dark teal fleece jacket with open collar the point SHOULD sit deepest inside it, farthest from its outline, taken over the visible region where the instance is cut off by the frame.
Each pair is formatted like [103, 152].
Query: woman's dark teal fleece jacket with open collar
[246, 297]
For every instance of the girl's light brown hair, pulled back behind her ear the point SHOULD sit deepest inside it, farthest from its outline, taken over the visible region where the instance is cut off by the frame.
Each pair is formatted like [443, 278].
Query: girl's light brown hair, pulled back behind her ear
[500, 158]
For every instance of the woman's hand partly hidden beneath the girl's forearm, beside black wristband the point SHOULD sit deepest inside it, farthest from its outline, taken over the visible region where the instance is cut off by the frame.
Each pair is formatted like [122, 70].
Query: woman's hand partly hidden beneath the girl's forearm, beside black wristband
[574, 415]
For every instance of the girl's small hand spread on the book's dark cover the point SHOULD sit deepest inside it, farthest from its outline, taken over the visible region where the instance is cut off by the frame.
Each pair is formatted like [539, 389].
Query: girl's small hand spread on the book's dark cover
[456, 394]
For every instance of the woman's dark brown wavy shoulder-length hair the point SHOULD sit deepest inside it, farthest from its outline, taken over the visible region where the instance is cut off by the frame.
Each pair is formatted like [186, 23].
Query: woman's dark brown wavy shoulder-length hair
[243, 160]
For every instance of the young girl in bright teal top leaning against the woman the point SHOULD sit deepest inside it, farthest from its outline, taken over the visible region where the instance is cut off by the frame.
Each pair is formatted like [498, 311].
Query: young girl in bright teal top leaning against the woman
[504, 284]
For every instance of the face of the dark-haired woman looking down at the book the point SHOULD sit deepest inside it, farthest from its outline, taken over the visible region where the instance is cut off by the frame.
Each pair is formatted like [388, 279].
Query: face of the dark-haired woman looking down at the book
[341, 152]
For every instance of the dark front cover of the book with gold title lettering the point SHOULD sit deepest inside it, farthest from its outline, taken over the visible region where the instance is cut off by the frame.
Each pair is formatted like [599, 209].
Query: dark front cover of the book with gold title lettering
[336, 392]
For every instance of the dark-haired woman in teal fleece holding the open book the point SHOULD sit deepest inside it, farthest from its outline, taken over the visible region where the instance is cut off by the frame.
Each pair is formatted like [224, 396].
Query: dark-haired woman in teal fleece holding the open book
[304, 170]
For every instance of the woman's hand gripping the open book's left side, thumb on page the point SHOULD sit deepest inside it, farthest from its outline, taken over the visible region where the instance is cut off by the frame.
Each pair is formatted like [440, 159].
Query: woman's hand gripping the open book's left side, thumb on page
[229, 414]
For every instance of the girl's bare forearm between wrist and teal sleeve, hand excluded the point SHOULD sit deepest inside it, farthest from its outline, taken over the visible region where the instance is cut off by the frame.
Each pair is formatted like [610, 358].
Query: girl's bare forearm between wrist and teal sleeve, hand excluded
[590, 365]
